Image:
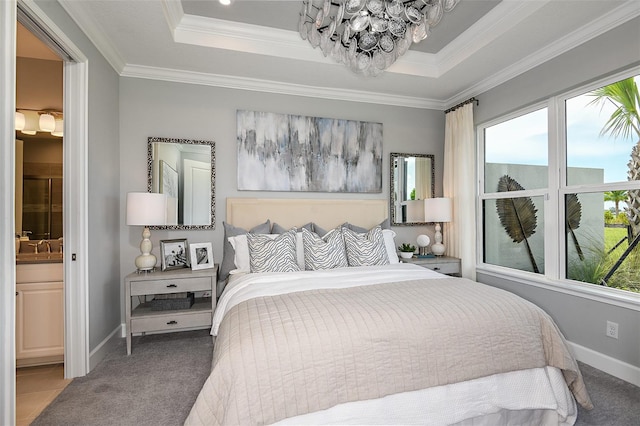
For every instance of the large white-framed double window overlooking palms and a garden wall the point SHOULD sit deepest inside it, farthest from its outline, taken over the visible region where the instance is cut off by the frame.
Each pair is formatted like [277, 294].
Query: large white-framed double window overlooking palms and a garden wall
[560, 192]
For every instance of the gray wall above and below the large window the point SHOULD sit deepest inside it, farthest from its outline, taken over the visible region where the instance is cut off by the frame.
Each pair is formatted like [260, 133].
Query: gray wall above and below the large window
[582, 320]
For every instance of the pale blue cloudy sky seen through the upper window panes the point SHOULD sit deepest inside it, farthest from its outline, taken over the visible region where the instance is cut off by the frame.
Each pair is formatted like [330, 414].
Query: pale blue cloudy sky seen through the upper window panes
[586, 147]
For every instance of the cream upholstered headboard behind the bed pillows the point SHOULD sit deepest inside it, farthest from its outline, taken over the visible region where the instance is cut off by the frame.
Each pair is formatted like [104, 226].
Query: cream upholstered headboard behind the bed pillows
[248, 212]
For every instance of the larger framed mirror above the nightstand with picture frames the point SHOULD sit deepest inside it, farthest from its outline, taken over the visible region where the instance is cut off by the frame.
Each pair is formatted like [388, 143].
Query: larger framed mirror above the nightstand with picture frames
[184, 169]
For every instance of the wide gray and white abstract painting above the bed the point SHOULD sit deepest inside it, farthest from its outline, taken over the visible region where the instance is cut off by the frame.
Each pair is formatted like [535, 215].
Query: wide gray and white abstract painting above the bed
[281, 152]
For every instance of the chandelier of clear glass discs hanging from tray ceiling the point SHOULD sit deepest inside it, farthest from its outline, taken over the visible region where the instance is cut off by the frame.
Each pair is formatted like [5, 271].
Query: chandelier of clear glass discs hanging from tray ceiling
[369, 35]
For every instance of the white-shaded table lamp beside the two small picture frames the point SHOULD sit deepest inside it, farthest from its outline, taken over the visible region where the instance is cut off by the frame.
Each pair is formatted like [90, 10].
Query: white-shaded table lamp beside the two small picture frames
[146, 209]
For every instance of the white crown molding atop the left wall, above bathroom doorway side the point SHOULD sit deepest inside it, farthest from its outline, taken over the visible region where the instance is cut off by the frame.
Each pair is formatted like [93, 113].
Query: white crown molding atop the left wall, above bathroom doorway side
[94, 31]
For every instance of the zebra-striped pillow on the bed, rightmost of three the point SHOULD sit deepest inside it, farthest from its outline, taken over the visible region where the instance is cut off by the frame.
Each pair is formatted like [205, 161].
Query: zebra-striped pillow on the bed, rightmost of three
[365, 249]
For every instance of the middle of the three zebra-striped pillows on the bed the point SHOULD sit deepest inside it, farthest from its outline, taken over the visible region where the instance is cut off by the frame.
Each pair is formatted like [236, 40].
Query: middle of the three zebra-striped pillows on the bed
[323, 253]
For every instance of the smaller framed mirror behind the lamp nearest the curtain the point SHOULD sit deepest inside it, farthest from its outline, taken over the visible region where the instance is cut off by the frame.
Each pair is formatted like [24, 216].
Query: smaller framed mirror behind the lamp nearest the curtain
[412, 180]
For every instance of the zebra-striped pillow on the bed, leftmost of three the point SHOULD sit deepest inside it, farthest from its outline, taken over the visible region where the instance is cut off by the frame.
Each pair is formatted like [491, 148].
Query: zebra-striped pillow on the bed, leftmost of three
[273, 255]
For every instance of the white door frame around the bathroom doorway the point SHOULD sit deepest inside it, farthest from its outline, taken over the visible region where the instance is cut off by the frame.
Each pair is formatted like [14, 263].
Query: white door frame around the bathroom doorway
[75, 221]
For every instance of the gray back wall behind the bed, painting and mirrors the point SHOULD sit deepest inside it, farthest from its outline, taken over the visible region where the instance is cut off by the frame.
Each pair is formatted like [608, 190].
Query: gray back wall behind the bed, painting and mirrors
[156, 108]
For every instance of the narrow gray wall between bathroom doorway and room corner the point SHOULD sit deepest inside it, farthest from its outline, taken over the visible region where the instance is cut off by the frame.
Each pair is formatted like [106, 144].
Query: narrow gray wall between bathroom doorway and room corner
[103, 185]
